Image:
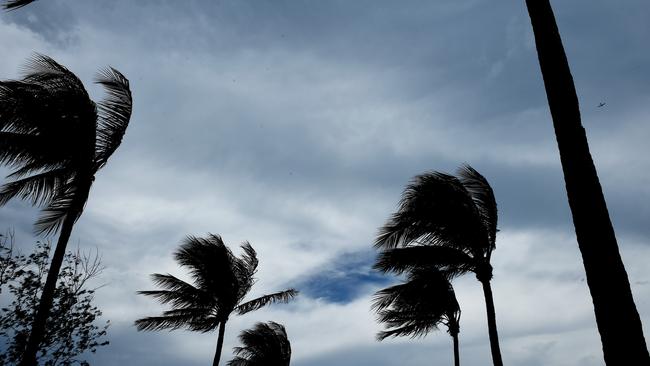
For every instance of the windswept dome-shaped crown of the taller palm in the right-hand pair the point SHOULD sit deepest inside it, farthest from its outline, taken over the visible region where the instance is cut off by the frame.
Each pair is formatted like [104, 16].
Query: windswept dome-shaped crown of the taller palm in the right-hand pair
[443, 210]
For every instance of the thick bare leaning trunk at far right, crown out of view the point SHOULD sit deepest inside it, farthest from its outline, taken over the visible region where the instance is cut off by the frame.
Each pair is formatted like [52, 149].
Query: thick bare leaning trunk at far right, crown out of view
[617, 319]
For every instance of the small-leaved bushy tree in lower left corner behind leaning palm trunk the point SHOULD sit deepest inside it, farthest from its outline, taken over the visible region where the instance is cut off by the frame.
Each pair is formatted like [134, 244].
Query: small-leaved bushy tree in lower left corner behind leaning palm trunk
[71, 327]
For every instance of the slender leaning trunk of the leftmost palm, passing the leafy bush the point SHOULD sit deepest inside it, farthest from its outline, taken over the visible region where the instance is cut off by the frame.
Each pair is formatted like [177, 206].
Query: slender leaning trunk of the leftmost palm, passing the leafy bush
[47, 297]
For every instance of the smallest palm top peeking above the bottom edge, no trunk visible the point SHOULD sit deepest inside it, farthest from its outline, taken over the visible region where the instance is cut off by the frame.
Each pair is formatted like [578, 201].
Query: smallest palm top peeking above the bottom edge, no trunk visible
[265, 344]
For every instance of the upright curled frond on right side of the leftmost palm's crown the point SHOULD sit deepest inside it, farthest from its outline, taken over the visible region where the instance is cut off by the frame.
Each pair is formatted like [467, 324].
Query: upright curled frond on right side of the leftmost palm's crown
[114, 114]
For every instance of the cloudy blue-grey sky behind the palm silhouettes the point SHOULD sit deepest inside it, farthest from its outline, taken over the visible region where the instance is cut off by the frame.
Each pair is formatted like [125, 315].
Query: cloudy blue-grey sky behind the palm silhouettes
[296, 124]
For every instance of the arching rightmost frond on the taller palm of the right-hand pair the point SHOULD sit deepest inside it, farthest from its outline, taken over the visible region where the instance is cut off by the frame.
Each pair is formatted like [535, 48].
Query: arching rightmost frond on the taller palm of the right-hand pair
[483, 197]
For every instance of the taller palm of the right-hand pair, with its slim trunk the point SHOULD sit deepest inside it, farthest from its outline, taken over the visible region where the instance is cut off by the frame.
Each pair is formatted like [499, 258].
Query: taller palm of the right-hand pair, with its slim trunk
[450, 223]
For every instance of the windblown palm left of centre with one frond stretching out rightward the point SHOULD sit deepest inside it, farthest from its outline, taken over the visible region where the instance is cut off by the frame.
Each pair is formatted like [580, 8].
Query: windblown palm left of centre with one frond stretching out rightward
[221, 281]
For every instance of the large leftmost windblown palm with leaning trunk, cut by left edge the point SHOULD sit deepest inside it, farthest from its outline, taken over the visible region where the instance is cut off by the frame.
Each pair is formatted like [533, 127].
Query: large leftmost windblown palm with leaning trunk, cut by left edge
[55, 139]
